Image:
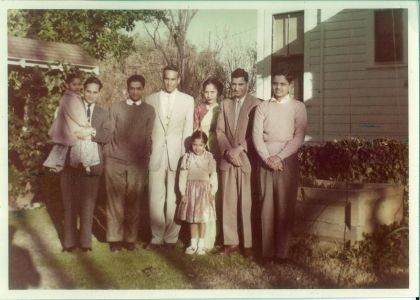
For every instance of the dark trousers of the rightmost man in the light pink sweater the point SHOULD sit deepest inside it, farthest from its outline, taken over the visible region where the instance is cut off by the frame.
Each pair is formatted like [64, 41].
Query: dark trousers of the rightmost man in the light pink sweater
[279, 193]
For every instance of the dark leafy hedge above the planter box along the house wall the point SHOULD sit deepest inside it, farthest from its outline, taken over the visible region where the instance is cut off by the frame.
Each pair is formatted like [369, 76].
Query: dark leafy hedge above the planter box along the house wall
[356, 160]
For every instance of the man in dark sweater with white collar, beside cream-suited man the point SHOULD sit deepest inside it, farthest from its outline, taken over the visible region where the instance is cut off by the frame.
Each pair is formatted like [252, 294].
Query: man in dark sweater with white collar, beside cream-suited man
[127, 158]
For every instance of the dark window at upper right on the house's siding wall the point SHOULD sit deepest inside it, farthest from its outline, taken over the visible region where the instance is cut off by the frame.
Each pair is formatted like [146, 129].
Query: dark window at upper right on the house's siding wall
[389, 36]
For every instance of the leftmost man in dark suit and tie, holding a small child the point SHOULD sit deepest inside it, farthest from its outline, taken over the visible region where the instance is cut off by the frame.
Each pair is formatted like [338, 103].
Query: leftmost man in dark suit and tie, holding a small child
[80, 189]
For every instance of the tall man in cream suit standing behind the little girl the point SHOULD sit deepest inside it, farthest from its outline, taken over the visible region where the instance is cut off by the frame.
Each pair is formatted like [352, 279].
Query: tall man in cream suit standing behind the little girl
[172, 128]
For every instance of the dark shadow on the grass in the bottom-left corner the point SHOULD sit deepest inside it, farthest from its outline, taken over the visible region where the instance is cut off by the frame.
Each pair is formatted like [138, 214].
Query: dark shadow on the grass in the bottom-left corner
[20, 259]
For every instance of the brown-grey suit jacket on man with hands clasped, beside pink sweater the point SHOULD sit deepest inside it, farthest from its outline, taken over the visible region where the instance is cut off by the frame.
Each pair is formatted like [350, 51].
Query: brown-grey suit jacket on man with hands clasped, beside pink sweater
[229, 137]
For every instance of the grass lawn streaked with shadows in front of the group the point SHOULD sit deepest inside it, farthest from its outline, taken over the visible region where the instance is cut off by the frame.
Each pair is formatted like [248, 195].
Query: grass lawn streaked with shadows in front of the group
[36, 261]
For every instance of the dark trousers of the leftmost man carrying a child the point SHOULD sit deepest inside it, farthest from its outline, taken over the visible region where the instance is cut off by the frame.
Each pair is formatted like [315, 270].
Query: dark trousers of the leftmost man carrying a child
[79, 193]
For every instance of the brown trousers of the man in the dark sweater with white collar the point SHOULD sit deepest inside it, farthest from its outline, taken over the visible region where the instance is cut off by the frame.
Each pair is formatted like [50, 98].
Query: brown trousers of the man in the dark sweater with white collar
[124, 183]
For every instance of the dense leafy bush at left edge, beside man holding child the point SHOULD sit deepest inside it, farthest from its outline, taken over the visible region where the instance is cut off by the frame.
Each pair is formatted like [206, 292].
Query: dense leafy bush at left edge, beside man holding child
[34, 95]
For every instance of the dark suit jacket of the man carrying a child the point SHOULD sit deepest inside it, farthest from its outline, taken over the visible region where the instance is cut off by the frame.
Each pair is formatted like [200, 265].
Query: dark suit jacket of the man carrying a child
[102, 123]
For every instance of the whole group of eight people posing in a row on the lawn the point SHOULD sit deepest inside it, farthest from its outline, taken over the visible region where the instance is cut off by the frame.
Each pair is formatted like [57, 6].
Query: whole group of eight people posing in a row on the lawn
[197, 161]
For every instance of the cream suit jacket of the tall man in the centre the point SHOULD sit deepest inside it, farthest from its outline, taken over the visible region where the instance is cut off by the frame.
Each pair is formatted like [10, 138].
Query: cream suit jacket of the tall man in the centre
[176, 135]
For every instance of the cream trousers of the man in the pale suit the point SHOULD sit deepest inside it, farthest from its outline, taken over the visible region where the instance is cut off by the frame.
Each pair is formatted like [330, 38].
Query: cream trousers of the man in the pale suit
[162, 204]
